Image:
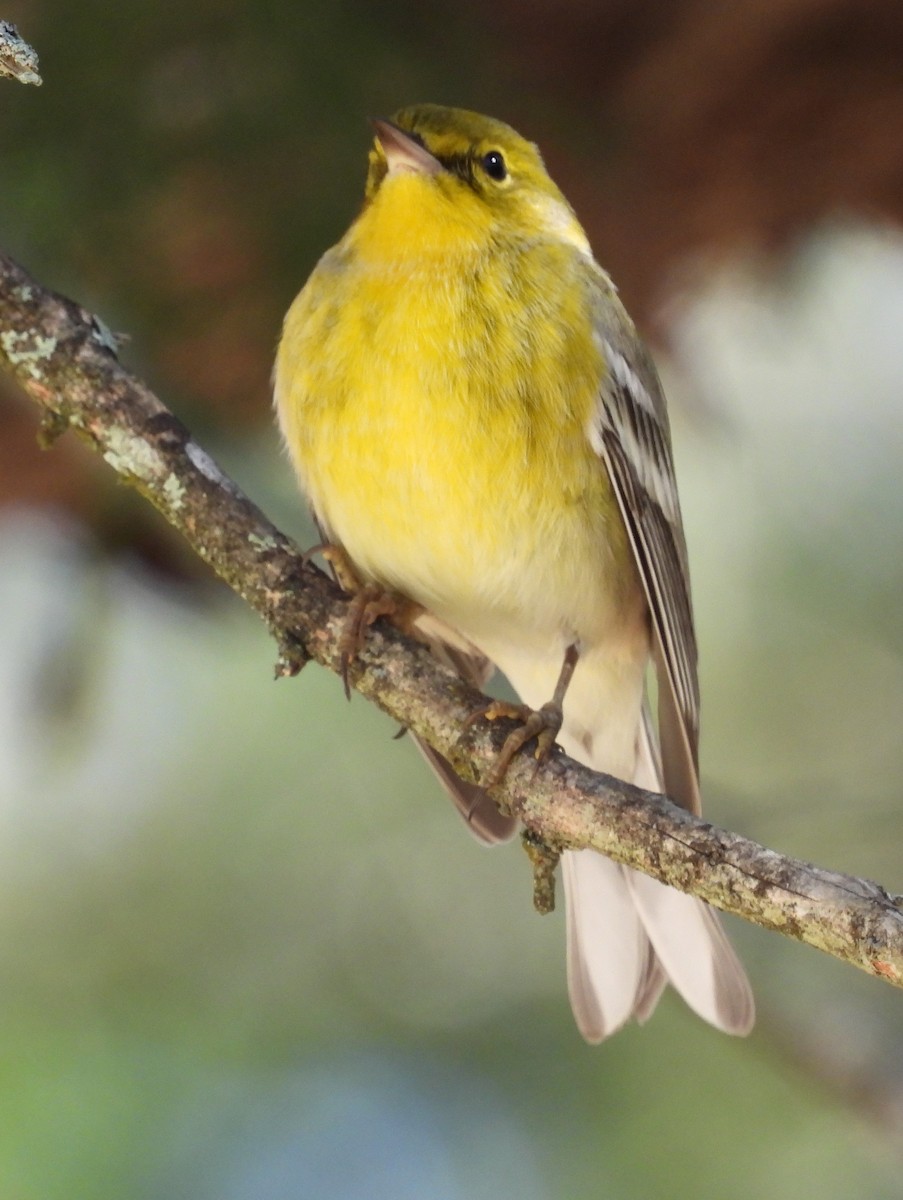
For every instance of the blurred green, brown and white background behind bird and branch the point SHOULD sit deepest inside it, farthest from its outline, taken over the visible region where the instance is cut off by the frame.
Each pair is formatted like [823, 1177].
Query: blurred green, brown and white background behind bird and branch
[247, 950]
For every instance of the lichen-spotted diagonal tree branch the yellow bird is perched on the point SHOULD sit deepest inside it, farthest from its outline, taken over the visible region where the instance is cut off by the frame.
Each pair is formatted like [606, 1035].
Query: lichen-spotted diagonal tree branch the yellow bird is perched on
[65, 361]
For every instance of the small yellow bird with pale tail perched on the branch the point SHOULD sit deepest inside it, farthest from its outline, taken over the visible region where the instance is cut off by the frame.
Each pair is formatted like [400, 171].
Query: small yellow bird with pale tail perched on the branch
[480, 429]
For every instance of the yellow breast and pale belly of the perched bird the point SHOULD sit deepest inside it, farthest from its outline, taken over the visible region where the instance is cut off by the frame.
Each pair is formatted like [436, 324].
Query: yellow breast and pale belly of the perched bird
[435, 400]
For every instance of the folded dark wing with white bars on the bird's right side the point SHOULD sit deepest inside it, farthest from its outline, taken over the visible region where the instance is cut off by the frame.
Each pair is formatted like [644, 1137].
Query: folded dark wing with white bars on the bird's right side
[632, 436]
